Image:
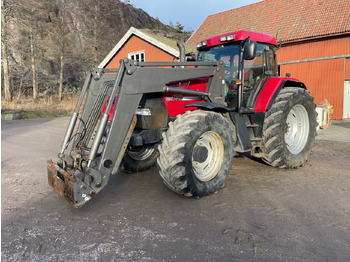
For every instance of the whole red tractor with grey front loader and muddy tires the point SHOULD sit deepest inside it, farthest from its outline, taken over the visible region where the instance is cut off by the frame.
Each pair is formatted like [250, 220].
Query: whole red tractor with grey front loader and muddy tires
[190, 117]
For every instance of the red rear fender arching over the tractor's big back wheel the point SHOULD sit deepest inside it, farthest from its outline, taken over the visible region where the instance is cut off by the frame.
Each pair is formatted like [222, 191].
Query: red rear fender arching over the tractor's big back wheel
[271, 90]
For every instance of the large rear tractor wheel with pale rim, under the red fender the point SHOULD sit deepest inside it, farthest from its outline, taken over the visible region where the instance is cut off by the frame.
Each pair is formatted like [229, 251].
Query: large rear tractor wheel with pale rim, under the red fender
[290, 128]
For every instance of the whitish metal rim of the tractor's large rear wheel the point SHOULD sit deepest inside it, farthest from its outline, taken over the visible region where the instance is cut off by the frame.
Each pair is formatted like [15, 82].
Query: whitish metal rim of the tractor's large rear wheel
[297, 132]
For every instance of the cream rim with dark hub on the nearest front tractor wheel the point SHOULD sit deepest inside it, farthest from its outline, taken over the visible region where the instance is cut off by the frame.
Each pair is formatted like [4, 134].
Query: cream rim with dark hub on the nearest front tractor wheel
[207, 156]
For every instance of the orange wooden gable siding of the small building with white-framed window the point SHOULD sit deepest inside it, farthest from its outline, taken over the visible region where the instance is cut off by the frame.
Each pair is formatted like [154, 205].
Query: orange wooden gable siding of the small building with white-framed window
[134, 44]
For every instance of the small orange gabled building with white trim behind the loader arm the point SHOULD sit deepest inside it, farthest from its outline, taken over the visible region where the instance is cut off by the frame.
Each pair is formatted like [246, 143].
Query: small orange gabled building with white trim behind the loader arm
[143, 46]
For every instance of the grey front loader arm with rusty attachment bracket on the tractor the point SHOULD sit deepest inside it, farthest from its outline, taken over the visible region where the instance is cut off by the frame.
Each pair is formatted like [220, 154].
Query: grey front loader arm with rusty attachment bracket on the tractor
[98, 147]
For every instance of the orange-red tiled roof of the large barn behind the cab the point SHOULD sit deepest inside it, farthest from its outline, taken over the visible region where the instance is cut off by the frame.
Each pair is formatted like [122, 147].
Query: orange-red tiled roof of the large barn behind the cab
[294, 19]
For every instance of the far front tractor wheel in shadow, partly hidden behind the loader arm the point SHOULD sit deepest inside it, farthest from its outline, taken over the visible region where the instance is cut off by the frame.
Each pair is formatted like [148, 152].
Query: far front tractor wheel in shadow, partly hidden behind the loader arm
[139, 159]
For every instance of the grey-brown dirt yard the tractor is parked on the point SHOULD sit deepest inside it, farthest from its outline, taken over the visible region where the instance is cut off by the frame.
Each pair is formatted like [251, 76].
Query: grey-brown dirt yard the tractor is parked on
[262, 213]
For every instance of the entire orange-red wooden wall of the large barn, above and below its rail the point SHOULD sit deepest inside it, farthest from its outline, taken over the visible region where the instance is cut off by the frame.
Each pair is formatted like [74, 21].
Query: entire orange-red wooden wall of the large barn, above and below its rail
[324, 78]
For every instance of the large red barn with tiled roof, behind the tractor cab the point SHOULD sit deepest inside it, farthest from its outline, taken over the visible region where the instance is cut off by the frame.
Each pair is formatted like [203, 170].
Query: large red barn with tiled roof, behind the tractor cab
[315, 42]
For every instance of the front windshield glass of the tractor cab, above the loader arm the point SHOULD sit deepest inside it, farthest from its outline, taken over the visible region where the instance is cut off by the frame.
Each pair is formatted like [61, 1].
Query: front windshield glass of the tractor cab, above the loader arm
[228, 54]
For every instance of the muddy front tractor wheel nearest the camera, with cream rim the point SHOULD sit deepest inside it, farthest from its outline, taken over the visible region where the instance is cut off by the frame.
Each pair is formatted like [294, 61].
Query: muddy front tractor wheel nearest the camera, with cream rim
[196, 153]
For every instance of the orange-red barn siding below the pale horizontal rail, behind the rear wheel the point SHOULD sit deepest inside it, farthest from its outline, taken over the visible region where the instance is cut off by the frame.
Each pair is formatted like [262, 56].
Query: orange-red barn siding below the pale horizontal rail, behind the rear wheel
[324, 79]
